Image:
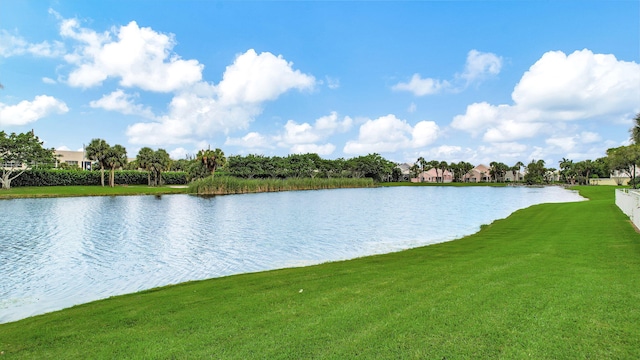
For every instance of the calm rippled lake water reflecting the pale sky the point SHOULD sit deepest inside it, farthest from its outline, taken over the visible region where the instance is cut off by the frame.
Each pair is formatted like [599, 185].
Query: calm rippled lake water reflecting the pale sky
[55, 253]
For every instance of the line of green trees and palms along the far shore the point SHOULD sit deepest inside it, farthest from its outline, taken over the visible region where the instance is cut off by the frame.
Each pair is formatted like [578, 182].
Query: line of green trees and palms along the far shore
[19, 152]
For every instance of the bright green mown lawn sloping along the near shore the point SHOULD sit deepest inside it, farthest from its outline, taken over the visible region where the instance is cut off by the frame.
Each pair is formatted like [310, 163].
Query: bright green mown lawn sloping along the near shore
[553, 281]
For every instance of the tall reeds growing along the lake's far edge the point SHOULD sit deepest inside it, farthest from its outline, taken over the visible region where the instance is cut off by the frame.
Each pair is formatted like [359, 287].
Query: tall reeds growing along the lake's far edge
[224, 185]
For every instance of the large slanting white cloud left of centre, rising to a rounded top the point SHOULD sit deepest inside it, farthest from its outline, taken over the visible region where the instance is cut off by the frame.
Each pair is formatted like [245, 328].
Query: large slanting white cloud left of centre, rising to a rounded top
[205, 109]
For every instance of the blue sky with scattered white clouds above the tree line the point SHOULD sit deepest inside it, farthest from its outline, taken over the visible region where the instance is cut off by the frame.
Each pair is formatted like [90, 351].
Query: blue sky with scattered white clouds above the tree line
[475, 81]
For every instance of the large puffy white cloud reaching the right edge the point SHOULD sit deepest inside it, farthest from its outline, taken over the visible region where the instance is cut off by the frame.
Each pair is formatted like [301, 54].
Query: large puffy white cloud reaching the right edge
[556, 89]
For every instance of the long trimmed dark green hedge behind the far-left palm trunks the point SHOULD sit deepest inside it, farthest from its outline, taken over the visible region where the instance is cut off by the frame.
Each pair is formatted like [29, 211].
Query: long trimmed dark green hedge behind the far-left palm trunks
[55, 177]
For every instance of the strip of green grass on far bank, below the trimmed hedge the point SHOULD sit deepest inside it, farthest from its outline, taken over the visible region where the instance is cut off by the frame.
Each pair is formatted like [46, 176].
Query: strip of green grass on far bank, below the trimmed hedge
[67, 191]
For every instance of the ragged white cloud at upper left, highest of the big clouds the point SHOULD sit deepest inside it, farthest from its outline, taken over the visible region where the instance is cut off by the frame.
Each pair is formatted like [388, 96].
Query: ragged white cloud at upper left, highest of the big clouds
[137, 56]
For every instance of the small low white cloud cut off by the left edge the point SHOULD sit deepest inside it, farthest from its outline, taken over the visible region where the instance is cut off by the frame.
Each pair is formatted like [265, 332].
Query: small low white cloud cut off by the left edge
[26, 112]
